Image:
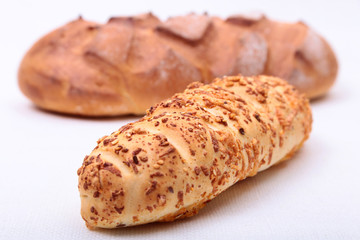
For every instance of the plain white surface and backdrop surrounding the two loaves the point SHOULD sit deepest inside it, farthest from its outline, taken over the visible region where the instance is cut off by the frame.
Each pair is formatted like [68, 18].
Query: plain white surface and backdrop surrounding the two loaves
[315, 195]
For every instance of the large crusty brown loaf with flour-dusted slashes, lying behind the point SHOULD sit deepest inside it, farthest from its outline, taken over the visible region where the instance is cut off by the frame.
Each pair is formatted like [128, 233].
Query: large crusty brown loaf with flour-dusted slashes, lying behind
[131, 63]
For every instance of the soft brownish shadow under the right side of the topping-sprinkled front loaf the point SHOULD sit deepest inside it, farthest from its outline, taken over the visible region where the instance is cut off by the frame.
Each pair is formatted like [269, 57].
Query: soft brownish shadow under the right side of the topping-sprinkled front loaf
[225, 200]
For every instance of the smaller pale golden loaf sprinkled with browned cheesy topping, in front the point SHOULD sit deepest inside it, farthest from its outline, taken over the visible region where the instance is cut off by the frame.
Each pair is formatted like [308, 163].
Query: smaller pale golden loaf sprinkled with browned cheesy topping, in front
[190, 148]
